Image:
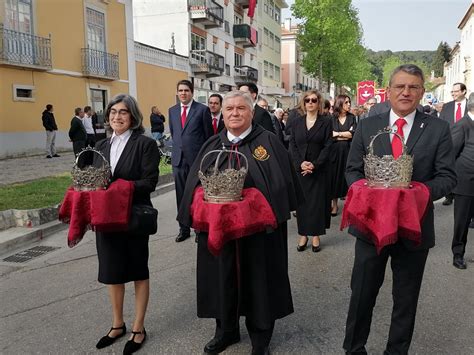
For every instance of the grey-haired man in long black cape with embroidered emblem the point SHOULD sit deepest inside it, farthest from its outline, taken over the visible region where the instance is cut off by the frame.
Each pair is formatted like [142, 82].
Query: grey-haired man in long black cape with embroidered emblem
[250, 275]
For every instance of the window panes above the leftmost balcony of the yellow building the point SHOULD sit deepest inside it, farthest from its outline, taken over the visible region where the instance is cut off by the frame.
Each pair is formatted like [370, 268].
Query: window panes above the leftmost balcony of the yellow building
[18, 16]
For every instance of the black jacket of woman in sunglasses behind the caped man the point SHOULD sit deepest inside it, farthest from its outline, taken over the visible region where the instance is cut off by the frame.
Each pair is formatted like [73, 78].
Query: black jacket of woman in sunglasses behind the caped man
[313, 145]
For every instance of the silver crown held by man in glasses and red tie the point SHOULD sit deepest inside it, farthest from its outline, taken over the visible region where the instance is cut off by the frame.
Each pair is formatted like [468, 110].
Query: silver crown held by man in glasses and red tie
[386, 171]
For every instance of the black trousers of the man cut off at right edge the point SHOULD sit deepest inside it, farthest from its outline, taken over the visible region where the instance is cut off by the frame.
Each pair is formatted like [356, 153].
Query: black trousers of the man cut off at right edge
[463, 212]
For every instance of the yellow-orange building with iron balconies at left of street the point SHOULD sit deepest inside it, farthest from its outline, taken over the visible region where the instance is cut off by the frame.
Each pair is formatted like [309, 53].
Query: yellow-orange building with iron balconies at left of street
[65, 53]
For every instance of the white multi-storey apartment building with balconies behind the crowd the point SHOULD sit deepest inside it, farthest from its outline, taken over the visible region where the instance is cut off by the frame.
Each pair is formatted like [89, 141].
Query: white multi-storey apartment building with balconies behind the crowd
[218, 36]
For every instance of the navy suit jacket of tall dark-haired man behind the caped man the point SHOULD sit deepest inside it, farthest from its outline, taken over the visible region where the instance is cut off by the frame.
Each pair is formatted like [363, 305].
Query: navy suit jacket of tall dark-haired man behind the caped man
[188, 141]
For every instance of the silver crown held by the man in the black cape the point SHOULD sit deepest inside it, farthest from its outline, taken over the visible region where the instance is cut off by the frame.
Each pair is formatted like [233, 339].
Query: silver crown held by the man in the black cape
[221, 186]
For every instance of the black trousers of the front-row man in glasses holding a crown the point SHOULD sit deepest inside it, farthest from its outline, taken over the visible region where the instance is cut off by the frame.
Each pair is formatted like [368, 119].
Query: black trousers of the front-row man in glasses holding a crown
[367, 278]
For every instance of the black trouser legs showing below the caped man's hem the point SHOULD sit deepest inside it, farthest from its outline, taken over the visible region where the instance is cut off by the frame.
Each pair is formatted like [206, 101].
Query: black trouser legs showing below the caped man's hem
[258, 337]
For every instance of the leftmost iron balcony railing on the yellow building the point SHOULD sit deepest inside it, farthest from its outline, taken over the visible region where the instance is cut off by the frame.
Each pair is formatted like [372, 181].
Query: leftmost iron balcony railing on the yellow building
[24, 50]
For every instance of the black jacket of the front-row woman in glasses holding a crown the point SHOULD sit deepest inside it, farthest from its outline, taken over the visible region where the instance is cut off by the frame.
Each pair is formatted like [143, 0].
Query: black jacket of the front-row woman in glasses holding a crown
[138, 163]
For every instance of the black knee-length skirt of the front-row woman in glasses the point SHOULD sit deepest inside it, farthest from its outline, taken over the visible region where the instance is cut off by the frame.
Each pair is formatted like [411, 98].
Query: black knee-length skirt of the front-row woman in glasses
[123, 257]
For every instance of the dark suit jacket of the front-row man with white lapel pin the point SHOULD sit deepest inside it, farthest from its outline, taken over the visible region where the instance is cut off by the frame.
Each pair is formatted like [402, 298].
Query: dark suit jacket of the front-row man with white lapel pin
[430, 145]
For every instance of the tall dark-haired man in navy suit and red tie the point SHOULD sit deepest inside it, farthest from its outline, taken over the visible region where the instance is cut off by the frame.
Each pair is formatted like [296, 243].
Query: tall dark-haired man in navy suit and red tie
[190, 126]
